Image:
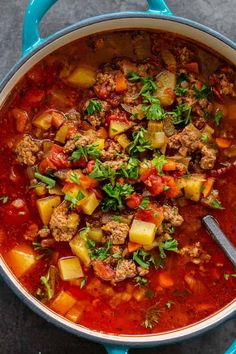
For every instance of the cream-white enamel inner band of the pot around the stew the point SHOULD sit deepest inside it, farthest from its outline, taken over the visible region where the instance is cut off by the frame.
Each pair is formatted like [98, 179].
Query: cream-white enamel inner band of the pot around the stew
[108, 25]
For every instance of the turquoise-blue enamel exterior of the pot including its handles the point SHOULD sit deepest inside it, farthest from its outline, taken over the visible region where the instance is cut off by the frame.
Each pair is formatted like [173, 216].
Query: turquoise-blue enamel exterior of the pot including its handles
[31, 43]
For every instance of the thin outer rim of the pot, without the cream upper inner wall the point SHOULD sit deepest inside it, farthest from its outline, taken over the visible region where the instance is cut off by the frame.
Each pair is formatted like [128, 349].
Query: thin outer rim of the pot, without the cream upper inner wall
[135, 340]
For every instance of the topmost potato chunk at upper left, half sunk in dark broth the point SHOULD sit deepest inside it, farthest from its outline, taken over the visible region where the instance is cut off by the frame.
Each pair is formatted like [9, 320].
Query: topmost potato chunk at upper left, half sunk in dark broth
[83, 76]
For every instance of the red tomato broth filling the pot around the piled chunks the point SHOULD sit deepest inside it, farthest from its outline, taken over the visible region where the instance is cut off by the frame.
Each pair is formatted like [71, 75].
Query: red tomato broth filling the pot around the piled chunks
[186, 285]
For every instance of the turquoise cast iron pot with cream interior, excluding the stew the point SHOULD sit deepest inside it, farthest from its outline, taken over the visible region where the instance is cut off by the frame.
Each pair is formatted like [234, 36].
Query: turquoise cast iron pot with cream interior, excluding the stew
[157, 16]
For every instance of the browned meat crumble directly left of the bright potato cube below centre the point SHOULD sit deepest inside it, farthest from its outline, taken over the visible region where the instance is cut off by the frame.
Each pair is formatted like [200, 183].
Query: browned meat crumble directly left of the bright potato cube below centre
[118, 232]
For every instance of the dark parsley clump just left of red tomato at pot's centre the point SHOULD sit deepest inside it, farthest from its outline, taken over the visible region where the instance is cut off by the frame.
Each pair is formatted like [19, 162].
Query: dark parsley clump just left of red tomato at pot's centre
[114, 196]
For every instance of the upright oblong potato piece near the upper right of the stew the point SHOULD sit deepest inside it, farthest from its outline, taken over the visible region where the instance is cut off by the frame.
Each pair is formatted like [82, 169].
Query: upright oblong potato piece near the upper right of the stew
[166, 83]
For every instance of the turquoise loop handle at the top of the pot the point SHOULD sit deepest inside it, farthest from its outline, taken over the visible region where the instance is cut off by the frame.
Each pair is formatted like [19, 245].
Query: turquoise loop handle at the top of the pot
[36, 9]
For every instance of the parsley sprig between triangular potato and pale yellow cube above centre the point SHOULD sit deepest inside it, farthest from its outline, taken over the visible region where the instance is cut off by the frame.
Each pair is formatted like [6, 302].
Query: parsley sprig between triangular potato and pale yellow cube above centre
[140, 143]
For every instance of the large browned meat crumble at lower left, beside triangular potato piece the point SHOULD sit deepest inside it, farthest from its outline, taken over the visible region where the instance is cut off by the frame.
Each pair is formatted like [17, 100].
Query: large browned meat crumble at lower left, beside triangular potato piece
[63, 223]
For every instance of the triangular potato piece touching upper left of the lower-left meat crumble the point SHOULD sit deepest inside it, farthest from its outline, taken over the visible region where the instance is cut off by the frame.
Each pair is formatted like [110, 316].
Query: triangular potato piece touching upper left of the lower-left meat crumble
[45, 207]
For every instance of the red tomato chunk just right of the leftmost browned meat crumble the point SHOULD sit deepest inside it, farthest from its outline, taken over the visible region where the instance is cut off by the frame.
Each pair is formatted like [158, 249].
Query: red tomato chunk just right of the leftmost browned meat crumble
[54, 160]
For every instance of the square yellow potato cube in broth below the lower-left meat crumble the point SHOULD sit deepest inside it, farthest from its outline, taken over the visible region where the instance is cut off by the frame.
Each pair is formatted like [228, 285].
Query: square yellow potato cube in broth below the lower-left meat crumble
[70, 268]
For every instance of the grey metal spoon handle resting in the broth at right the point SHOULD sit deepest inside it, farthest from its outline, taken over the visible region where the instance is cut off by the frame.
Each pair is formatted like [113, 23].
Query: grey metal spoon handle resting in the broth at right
[215, 231]
